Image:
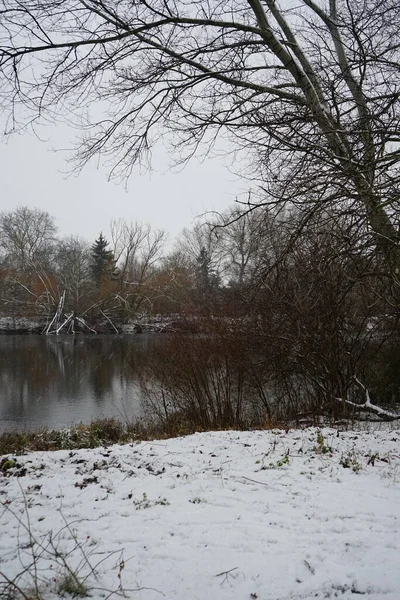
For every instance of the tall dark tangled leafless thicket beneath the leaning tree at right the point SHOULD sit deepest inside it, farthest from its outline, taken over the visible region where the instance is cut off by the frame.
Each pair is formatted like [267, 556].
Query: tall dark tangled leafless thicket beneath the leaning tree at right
[319, 320]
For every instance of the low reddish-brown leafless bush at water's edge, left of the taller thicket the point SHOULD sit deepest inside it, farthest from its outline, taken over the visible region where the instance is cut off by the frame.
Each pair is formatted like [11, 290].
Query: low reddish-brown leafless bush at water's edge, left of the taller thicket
[200, 379]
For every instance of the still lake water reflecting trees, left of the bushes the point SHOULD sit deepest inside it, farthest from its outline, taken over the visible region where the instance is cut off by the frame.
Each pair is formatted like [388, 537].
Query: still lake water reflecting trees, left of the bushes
[57, 381]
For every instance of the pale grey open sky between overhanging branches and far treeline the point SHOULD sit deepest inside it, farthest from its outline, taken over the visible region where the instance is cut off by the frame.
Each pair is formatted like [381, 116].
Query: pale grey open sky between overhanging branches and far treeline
[33, 174]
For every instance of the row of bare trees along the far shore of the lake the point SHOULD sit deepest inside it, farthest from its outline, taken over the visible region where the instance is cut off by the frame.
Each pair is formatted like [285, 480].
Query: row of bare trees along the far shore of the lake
[208, 271]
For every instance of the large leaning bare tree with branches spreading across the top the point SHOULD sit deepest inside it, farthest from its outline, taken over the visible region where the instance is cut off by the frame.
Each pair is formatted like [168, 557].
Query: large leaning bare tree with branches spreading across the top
[312, 88]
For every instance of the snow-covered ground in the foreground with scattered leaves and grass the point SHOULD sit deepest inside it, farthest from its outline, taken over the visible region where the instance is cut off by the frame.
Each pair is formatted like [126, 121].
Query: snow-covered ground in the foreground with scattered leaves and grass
[272, 515]
